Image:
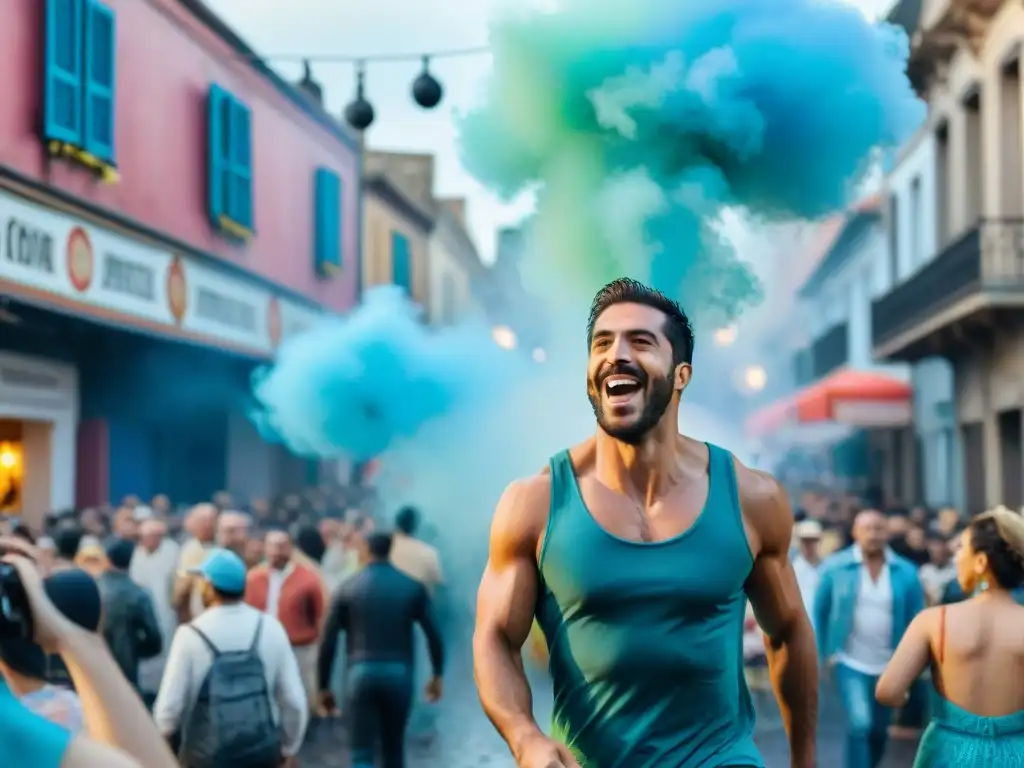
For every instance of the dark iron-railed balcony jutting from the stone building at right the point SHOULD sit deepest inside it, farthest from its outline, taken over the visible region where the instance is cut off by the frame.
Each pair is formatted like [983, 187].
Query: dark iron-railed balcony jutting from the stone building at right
[982, 271]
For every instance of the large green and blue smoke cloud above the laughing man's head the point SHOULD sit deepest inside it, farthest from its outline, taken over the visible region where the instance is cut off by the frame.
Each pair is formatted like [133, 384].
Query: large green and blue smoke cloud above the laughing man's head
[641, 122]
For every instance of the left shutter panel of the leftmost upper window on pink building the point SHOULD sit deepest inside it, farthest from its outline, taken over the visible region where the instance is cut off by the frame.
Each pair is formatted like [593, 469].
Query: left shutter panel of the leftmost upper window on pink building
[63, 77]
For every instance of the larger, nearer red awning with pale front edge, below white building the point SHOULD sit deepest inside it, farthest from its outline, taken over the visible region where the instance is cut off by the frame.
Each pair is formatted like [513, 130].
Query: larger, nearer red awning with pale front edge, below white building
[859, 398]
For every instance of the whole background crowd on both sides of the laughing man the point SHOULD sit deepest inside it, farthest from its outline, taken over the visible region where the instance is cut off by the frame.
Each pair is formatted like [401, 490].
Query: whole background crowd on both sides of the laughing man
[227, 621]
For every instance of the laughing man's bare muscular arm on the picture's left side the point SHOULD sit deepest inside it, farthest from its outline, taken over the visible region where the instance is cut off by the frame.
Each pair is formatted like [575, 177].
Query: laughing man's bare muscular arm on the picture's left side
[505, 612]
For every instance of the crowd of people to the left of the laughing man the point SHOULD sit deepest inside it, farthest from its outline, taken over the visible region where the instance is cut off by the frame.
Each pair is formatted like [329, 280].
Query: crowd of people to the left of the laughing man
[226, 621]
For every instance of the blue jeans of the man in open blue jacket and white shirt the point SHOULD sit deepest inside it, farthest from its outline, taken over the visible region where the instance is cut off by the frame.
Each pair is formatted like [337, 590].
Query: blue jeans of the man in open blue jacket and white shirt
[867, 720]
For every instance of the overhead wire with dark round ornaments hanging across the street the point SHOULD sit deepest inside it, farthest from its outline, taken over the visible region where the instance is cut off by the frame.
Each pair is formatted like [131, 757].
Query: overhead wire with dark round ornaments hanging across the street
[426, 90]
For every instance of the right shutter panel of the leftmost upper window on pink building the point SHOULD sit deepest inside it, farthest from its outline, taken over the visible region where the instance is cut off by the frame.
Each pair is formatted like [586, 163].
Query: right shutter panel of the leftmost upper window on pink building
[101, 80]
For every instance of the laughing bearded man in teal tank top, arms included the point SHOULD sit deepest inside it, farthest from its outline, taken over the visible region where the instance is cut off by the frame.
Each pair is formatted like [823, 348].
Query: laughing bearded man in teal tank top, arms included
[637, 552]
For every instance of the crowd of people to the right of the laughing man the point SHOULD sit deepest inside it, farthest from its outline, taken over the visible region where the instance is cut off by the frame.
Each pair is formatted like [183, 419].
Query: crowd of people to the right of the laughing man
[878, 585]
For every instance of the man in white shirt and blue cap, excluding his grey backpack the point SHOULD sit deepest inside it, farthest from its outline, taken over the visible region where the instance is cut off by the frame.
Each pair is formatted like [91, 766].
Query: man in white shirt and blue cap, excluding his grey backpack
[231, 625]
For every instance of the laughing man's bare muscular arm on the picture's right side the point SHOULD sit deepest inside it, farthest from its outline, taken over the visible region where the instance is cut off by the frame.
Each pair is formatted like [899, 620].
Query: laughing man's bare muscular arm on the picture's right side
[776, 598]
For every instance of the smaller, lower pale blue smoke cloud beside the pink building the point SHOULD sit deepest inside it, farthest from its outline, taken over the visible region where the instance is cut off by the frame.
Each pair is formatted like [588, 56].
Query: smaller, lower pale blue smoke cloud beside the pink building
[358, 386]
